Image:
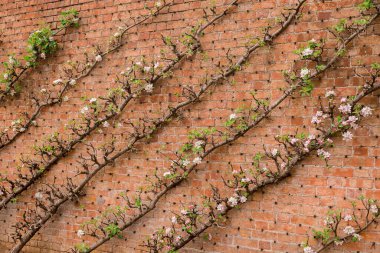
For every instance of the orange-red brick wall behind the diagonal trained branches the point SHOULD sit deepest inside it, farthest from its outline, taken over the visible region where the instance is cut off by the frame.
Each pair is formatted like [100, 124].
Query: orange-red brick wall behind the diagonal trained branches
[274, 220]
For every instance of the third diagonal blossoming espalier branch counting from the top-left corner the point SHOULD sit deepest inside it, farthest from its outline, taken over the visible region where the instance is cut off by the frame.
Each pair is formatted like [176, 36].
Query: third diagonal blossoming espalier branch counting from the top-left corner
[139, 78]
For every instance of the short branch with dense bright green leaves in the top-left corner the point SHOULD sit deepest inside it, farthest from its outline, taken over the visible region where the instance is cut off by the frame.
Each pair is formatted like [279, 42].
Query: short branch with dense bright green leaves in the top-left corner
[41, 44]
